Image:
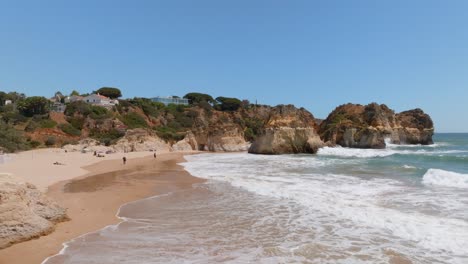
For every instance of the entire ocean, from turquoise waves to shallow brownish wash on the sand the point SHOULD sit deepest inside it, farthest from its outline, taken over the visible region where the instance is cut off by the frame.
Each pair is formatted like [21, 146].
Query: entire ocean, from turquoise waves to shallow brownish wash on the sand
[402, 204]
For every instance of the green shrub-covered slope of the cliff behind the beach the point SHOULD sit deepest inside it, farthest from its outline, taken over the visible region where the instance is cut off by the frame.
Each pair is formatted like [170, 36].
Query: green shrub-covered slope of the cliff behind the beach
[35, 121]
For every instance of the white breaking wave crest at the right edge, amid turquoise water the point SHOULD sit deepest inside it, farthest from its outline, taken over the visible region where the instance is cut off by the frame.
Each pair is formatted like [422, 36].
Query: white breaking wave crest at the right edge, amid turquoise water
[445, 178]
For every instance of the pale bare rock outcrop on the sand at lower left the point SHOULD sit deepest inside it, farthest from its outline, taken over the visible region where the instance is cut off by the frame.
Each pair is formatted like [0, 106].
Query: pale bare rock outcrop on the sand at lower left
[25, 213]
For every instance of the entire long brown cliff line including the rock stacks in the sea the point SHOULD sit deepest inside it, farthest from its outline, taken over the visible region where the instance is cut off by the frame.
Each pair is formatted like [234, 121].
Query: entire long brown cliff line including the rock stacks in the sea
[207, 124]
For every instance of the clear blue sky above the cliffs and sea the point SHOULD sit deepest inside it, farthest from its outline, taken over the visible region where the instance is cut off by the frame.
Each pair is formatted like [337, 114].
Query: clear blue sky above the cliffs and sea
[314, 54]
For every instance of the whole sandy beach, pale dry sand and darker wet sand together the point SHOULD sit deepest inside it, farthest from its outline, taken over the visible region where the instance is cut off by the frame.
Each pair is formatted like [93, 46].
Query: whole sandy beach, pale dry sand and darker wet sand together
[92, 192]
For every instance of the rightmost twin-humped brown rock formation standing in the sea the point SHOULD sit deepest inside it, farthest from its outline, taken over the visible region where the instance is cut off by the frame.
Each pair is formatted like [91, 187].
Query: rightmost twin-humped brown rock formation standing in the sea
[358, 126]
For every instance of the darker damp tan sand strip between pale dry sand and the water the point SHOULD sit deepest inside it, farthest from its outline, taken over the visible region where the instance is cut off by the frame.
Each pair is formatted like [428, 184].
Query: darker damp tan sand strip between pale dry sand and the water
[93, 200]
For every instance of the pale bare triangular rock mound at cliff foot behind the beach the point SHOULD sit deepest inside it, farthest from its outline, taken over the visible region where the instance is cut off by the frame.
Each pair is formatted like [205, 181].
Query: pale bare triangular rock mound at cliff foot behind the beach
[141, 140]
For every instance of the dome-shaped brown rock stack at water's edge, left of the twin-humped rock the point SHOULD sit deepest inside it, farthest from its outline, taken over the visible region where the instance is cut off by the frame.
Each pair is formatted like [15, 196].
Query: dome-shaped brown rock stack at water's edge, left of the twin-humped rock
[287, 130]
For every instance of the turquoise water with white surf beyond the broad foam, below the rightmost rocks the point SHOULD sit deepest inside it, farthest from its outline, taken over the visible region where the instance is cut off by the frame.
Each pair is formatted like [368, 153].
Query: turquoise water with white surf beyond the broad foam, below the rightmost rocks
[407, 162]
